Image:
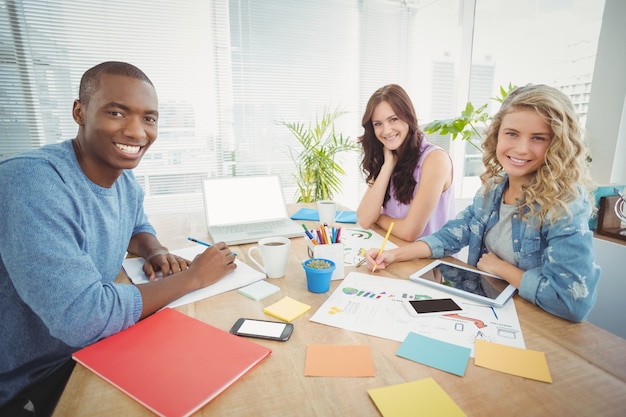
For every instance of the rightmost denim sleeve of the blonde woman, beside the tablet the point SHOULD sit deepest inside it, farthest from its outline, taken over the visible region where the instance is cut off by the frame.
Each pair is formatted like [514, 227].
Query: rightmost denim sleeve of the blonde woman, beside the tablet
[565, 283]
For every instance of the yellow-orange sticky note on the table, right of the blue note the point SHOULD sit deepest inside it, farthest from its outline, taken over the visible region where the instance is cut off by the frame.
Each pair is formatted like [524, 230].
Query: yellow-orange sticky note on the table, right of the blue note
[512, 360]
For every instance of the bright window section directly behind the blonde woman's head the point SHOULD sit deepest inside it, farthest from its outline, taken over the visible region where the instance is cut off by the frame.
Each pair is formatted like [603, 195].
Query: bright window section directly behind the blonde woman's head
[531, 41]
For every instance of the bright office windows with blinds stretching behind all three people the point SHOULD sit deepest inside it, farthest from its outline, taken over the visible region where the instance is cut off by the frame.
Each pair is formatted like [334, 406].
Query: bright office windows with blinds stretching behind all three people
[227, 70]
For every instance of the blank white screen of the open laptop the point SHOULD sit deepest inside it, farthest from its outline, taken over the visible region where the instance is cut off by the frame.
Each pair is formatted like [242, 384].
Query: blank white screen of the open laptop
[229, 200]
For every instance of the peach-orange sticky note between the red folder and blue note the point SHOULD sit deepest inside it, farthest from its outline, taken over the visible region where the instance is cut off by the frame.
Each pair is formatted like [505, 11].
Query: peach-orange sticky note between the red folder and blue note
[339, 360]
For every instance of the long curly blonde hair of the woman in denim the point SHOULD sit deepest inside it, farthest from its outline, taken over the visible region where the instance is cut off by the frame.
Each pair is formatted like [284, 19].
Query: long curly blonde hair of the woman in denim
[557, 181]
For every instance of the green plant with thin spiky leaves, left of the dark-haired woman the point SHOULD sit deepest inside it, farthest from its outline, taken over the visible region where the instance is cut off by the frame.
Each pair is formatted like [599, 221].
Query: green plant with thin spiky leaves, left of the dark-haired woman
[316, 170]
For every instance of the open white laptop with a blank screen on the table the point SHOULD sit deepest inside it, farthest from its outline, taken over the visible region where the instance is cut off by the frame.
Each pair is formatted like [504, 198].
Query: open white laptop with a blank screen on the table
[246, 209]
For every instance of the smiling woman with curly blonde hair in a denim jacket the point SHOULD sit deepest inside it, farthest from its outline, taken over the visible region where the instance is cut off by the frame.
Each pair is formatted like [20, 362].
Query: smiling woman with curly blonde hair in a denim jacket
[529, 222]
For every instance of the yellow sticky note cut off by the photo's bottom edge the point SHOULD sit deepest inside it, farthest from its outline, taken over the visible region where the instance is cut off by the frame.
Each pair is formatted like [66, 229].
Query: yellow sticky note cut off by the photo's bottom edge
[423, 397]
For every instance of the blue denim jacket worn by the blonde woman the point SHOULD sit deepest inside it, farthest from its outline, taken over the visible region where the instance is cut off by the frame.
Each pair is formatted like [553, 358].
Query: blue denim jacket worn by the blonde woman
[560, 274]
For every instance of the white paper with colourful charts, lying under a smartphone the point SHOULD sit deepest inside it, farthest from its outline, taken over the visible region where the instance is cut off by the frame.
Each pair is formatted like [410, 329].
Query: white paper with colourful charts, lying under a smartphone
[376, 306]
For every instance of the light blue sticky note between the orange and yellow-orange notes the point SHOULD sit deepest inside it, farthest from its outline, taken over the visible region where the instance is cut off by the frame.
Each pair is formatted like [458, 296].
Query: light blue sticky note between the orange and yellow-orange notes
[435, 353]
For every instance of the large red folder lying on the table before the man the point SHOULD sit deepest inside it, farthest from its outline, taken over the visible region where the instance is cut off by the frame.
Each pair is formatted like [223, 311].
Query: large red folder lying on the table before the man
[171, 363]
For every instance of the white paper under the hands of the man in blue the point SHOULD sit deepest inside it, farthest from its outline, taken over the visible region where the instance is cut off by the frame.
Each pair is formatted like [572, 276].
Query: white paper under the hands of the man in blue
[242, 276]
